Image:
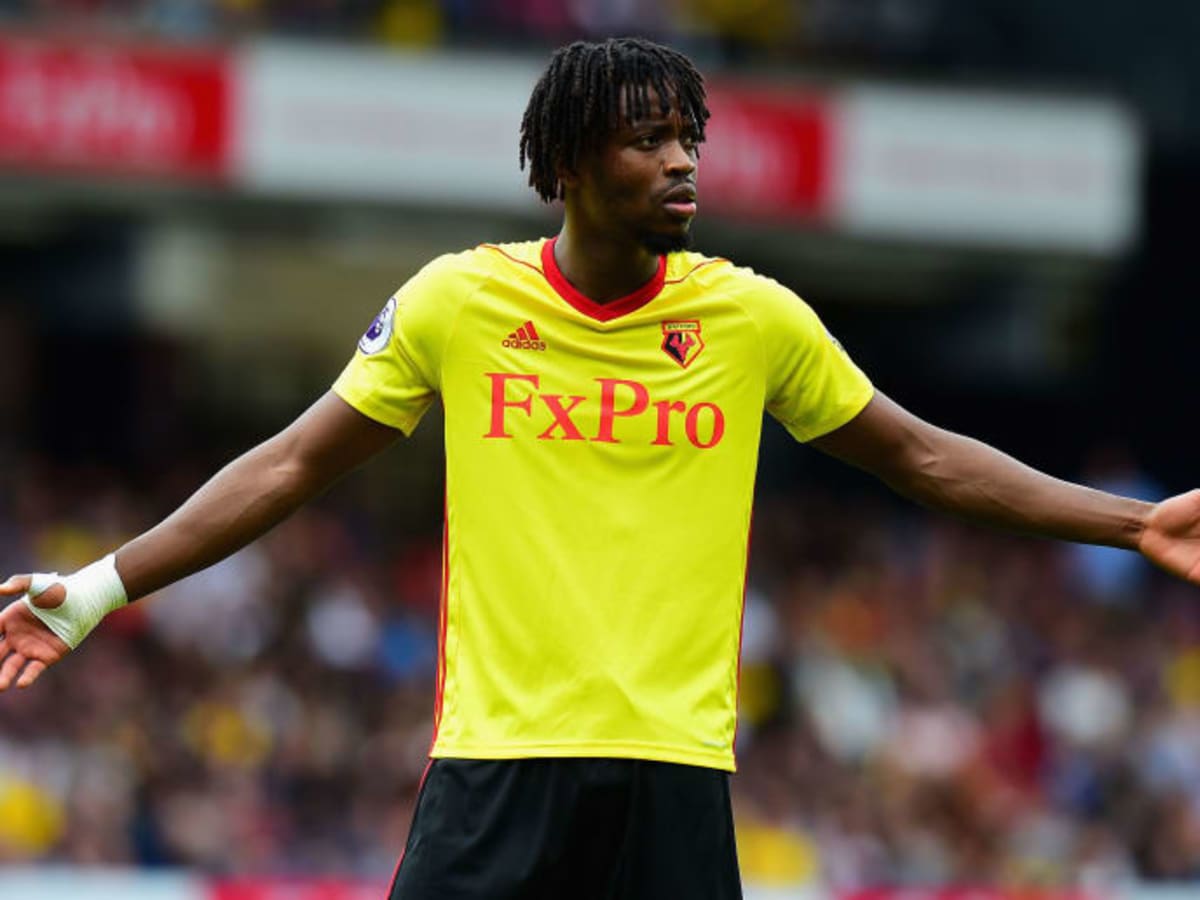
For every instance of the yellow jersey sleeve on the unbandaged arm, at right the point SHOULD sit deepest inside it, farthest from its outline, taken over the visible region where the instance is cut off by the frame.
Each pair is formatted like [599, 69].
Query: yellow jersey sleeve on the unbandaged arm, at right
[813, 386]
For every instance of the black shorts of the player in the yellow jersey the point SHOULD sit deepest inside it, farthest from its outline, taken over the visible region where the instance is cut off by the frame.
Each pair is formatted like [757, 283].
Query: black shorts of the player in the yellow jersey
[571, 830]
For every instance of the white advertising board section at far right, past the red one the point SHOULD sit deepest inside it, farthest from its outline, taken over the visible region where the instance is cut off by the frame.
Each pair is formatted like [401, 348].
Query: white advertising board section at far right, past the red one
[1017, 171]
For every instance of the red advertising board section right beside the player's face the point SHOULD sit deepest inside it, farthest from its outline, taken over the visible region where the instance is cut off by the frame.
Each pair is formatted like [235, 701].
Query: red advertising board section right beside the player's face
[769, 154]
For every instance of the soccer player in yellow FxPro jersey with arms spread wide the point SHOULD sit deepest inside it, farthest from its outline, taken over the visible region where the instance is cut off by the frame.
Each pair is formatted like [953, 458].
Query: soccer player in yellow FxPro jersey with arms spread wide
[604, 394]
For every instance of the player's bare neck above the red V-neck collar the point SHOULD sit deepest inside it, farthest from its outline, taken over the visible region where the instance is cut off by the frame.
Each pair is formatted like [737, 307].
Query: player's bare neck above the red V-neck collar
[601, 268]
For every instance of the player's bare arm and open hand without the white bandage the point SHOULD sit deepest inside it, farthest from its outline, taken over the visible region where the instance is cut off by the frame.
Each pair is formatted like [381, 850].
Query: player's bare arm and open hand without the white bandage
[957, 475]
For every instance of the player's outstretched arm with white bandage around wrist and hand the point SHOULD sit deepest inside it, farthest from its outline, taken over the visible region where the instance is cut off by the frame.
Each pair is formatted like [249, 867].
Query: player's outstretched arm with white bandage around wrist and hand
[49, 616]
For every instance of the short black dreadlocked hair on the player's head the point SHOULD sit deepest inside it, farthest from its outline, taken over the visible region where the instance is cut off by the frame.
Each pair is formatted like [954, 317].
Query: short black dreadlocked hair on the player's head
[580, 99]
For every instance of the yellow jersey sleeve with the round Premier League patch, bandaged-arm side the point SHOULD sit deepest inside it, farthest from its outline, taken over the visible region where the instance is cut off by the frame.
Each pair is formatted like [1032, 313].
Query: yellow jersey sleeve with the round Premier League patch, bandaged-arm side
[397, 370]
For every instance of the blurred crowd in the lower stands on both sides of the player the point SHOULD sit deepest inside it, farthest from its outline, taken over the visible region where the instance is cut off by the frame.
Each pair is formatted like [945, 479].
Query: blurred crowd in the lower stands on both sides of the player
[922, 703]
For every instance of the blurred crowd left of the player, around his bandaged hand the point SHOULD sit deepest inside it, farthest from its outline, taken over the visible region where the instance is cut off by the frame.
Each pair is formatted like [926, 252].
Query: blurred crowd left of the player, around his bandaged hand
[269, 715]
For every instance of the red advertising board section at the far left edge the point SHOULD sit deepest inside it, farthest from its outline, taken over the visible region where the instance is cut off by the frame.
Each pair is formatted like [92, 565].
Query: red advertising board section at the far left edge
[115, 110]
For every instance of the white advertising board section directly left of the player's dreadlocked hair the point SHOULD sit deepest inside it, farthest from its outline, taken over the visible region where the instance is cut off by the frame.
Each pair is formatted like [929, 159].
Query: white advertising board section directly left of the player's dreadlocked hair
[370, 125]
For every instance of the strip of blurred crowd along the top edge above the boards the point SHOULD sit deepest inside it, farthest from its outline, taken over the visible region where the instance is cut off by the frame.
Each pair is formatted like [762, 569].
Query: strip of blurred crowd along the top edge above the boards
[727, 29]
